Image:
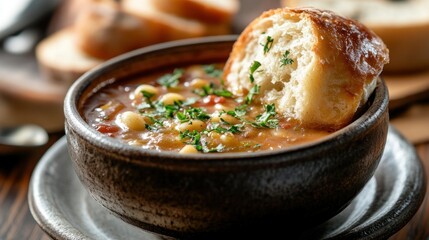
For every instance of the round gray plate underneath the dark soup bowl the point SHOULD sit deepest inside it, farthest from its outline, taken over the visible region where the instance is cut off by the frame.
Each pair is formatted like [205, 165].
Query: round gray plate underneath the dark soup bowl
[63, 208]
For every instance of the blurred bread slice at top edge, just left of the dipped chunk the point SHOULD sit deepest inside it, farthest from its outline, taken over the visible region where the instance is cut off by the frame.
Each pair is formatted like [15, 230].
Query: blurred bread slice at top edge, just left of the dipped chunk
[209, 11]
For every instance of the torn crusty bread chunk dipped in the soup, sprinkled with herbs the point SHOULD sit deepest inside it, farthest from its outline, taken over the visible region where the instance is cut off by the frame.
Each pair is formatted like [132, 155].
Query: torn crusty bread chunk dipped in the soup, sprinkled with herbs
[315, 66]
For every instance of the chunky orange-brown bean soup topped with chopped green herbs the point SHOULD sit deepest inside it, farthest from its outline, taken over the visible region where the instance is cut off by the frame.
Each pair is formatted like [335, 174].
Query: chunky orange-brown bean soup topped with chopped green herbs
[188, 110]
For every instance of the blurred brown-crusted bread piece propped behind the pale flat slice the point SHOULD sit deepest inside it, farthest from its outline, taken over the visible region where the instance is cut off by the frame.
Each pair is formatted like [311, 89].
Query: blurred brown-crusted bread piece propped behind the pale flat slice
[104, 31]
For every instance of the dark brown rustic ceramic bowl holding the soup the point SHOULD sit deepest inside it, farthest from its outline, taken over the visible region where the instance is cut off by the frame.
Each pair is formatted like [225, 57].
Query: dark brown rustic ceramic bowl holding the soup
[192, 195]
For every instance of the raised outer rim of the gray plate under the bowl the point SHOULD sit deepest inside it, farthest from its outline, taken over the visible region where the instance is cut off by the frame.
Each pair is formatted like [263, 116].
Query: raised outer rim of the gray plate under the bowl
[379, 228]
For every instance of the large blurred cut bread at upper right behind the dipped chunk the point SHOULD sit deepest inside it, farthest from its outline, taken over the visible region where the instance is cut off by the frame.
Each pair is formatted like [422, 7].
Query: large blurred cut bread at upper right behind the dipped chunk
[403, 26]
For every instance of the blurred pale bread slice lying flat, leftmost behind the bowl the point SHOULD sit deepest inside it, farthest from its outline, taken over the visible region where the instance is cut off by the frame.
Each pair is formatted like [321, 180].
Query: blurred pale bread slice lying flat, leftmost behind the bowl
[61, 60]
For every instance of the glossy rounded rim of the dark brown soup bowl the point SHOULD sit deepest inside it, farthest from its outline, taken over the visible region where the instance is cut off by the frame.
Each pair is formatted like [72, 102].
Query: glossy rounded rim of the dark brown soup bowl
[124, 151]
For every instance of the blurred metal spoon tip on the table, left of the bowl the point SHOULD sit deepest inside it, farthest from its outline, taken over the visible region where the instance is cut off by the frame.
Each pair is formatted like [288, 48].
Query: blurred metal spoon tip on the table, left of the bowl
[22, 138]
